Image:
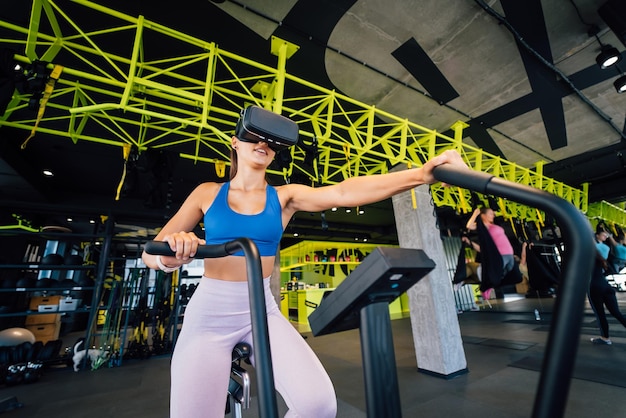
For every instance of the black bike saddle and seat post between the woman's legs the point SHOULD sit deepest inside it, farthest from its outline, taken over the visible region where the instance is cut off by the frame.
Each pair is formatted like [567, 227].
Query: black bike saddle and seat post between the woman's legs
[239, 385]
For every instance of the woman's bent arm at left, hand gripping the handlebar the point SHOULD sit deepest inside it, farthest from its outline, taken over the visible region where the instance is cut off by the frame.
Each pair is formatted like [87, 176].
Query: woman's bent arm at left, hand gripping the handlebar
[178, 231]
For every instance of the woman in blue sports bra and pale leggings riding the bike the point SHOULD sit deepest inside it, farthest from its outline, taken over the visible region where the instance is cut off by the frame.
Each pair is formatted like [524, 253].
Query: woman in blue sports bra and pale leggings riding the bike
[218, 315]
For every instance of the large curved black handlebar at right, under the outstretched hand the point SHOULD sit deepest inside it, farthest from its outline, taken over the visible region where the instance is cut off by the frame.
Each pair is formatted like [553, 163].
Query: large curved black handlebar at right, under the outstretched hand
[563, 340]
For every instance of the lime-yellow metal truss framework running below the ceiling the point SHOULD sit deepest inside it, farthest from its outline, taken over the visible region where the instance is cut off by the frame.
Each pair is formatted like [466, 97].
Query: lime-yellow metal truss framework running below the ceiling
[191, 102]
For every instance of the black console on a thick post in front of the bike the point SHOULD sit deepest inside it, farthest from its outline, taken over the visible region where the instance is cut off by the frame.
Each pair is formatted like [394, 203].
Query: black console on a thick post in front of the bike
[363, 299]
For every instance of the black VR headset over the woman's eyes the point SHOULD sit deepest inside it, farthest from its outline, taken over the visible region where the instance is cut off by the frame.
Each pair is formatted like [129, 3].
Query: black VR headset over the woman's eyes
[259, 125]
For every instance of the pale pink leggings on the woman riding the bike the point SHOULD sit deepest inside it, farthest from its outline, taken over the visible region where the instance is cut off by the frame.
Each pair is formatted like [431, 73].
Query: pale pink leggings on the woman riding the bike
[218, 317]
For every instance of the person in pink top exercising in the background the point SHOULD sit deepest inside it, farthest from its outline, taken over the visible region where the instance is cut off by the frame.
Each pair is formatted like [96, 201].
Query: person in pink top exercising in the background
[501, 241]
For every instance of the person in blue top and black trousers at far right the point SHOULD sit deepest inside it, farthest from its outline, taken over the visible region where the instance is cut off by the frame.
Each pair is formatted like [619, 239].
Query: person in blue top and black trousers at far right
[601, 293]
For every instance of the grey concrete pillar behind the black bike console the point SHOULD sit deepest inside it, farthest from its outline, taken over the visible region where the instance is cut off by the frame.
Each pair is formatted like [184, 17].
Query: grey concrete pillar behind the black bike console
[434, 321]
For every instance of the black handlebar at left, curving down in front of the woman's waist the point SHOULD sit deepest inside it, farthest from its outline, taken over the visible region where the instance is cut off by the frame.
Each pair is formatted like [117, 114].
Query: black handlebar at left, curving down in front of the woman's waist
[260, 334]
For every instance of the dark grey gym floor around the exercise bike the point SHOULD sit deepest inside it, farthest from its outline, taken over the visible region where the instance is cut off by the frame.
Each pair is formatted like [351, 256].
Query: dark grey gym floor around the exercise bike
[503, 345]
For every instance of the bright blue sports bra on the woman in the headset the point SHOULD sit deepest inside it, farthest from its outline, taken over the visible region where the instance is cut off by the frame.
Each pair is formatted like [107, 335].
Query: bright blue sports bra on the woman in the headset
[222, 224]
